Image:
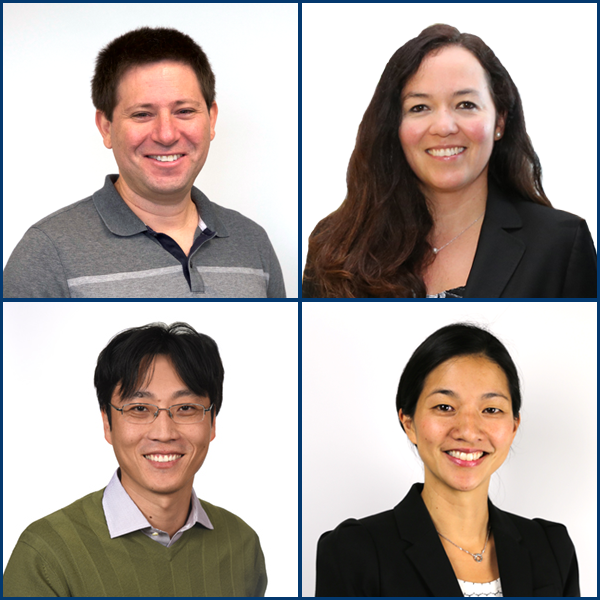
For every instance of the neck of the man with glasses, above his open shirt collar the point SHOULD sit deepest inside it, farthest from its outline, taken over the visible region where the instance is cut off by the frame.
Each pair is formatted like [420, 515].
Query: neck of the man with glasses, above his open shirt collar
[167, 512]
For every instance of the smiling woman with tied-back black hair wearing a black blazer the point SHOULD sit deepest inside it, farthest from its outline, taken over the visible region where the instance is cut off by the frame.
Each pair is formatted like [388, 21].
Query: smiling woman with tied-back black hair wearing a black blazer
[458, 402]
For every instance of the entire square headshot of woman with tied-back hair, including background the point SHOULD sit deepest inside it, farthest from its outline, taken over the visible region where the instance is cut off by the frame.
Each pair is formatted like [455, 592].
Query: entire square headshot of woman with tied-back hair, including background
[437, 464]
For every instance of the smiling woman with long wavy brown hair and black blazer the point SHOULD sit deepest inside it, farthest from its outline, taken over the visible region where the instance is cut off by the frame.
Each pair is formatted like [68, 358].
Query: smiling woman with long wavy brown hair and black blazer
[445, 197]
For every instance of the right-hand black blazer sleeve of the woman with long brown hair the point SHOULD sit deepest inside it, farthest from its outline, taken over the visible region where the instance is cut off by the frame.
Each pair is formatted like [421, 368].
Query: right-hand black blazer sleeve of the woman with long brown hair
[580, 281]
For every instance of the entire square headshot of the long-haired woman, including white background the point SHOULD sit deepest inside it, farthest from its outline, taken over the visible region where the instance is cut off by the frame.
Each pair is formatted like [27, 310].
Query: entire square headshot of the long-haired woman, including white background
[437, 175]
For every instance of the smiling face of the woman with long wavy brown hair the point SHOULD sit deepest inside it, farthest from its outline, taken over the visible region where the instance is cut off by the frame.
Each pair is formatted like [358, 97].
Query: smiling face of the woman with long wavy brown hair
[449, 121]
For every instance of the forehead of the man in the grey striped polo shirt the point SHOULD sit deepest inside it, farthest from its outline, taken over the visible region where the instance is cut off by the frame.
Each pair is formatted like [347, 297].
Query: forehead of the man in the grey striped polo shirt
[158, 81]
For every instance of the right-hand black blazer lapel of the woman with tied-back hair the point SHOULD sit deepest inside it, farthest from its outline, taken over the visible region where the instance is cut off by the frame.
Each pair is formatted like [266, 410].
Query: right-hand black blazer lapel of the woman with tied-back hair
[514, 561]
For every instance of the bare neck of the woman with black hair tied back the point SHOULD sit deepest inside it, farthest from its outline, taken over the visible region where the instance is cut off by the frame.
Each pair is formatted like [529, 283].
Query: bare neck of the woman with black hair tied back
[460, 516]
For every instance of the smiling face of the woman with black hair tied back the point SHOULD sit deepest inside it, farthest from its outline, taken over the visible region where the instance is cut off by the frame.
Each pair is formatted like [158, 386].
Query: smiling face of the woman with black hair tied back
[463, 425]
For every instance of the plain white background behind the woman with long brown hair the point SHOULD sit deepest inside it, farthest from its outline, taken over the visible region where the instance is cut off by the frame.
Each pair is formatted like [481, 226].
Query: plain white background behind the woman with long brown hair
[548, 49]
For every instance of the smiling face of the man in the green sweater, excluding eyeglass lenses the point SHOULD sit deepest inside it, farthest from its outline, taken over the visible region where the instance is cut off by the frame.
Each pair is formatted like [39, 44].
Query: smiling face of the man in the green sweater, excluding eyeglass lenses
[137, 446]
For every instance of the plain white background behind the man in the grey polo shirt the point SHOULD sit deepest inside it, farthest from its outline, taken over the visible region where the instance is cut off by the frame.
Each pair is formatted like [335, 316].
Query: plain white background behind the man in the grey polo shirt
[54, 155]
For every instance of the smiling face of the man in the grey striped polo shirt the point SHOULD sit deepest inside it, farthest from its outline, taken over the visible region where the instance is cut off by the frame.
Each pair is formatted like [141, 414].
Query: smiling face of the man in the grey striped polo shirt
[160, 132]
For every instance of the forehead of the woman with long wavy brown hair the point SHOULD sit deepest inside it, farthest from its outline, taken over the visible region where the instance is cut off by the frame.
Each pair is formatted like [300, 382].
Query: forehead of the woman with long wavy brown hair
[452, 68]
